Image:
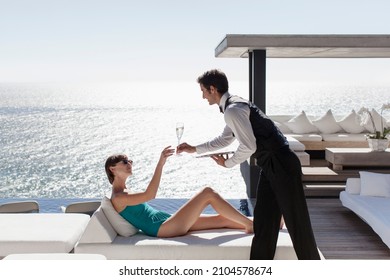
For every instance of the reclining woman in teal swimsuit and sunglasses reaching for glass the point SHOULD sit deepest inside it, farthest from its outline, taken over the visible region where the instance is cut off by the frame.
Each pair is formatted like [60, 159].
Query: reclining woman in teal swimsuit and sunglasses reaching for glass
[134, 208]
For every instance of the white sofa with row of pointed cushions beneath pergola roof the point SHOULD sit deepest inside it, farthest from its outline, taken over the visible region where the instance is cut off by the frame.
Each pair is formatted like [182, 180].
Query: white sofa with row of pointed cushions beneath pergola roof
[327, 131]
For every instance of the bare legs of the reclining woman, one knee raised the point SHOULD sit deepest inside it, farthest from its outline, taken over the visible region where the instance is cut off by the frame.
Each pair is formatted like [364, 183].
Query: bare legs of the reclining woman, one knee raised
[188, 216]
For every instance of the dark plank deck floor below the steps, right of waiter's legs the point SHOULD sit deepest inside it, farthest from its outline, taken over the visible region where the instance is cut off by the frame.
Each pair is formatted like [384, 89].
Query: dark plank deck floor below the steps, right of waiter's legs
[341, 234]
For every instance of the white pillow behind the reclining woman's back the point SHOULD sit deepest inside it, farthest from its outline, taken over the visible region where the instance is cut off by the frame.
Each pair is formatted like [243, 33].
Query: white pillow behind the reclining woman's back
[121, 226]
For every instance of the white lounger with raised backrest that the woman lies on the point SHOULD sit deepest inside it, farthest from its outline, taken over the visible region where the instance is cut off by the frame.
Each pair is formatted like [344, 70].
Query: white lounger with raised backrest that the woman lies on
[100, 237]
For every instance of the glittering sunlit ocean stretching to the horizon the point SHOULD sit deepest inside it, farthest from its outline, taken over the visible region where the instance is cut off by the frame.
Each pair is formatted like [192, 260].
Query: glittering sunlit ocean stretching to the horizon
[55, 138]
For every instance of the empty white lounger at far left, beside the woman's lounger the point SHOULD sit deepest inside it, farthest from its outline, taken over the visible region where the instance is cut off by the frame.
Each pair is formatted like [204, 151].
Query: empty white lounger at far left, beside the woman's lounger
[40, 233]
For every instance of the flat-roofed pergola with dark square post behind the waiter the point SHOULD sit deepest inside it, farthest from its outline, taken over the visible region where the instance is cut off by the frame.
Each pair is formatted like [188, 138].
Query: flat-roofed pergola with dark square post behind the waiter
[257, 48]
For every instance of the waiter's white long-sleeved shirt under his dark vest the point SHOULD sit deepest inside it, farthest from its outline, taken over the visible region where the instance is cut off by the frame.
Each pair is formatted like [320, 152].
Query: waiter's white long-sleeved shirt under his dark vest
[237, 127]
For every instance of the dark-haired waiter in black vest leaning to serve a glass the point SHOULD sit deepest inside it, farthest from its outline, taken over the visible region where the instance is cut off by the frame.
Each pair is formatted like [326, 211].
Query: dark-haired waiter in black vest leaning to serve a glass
[279, 191]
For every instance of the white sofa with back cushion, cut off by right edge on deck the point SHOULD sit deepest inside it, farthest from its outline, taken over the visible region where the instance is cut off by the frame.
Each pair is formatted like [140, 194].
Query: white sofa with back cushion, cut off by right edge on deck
[369, 197]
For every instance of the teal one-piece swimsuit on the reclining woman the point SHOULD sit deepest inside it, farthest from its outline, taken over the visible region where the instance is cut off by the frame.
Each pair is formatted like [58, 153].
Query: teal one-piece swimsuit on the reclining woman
[145, 217]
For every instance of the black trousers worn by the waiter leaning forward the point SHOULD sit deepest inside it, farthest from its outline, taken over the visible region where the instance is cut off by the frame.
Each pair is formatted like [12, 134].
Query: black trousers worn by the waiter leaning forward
[280, 192]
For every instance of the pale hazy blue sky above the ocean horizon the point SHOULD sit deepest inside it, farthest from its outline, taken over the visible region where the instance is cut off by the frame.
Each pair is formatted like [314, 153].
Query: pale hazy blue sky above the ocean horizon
[126, 40]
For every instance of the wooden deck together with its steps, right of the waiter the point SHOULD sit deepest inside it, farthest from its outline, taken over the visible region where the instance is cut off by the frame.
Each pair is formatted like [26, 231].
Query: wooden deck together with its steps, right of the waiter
[339, 232]
